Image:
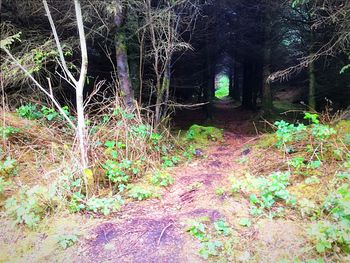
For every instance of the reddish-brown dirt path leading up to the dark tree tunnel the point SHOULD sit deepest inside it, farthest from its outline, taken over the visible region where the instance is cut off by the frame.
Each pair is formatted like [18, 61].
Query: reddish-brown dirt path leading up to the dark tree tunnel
[154, 230]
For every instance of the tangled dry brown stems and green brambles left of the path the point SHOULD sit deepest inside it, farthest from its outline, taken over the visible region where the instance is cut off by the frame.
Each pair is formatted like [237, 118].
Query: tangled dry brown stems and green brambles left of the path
[123, 149]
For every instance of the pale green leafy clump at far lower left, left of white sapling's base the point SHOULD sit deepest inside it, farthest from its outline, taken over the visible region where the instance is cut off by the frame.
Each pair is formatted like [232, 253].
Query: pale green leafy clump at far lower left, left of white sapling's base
[31, 205]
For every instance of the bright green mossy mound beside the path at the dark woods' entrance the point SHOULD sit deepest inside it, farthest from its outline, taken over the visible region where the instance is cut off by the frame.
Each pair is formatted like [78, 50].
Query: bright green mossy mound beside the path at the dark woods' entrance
[201, 135]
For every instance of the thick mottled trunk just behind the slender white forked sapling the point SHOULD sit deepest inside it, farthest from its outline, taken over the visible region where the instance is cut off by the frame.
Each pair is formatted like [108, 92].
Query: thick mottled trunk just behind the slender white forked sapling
[123, 71]
